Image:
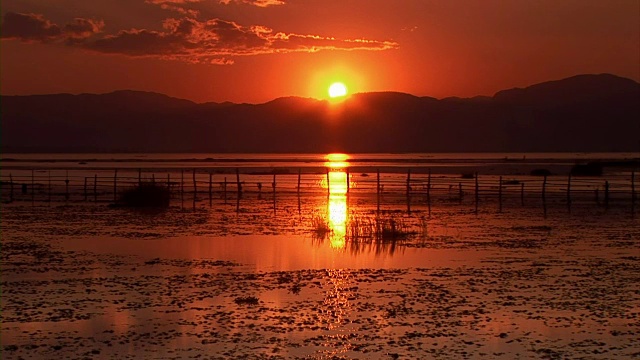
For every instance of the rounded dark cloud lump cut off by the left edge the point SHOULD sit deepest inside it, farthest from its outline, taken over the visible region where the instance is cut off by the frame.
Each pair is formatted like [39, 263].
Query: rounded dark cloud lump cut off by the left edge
[28, 27]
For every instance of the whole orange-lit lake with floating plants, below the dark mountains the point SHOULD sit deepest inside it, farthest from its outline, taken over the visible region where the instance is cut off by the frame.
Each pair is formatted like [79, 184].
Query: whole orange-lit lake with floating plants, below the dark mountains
[336, 267]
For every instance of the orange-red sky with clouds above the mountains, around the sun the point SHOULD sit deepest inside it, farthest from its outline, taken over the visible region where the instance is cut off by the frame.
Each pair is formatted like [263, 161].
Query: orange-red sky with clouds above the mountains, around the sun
[256, 50]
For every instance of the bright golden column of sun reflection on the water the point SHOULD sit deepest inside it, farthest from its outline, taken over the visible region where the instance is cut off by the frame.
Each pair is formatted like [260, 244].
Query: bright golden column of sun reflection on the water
[337, 209]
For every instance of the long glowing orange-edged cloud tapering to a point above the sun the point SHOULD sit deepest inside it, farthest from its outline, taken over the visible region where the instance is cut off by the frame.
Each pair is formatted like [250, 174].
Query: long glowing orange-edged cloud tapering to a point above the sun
[214, 41]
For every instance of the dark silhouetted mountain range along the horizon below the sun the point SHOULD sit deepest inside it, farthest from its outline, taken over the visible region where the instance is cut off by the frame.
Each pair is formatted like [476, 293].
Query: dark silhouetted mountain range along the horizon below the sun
[581, 113]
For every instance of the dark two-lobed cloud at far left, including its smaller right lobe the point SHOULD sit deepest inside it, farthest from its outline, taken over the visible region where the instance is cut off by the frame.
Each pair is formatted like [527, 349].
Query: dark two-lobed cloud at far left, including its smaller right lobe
[35, 28]
